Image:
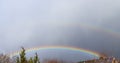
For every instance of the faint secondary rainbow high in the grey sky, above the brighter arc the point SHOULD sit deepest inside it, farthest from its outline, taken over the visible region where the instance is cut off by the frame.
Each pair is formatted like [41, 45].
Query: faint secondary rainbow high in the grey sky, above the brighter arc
[113, 32]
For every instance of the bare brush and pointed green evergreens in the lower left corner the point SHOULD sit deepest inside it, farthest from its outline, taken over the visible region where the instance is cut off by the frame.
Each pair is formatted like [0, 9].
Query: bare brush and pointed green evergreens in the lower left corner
[19, 59]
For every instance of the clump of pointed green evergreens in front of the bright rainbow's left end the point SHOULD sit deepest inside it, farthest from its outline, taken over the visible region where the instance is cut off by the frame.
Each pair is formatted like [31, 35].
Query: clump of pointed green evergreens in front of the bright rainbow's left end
[22, 58]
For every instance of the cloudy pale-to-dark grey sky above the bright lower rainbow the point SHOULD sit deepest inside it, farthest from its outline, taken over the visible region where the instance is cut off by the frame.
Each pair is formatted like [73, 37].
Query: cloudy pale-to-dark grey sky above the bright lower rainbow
[88, 24]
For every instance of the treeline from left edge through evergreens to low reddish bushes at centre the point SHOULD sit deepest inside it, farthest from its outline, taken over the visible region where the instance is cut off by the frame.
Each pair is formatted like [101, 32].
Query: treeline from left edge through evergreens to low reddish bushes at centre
[23, 59]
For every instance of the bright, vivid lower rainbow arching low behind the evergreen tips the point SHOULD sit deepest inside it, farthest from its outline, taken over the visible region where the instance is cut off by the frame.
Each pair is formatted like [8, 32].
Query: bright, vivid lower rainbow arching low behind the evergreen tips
[58, 47]
